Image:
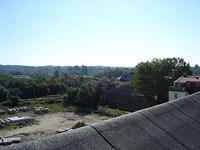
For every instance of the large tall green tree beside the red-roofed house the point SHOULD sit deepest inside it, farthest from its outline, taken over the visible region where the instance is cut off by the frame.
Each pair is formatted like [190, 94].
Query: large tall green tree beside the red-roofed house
[152, 79]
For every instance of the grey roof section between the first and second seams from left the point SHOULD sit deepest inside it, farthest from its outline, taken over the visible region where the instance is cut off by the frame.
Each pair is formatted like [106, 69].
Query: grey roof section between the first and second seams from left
[135, 132]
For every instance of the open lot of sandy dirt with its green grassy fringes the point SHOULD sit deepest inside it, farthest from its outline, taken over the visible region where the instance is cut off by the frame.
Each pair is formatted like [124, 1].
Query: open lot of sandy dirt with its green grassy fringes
[58, 119]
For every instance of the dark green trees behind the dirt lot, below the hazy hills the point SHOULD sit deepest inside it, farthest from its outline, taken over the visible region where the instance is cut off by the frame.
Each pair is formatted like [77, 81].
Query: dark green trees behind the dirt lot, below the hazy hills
[78, 90]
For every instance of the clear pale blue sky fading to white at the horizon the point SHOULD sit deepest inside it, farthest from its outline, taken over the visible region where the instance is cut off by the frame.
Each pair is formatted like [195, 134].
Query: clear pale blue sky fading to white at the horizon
[98, 32]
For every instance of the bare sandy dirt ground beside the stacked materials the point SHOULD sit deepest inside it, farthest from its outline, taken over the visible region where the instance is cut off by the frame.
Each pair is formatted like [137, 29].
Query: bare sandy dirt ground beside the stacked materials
[50, 123]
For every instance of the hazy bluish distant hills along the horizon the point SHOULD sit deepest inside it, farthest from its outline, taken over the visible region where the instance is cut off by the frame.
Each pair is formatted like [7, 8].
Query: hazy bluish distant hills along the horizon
[49, 71]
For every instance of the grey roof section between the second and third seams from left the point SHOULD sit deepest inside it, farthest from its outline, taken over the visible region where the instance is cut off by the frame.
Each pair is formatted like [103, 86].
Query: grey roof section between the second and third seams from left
[175, 123]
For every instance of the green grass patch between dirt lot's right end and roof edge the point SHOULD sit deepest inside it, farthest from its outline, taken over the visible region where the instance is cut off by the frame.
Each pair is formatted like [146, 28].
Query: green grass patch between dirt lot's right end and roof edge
[104, 110]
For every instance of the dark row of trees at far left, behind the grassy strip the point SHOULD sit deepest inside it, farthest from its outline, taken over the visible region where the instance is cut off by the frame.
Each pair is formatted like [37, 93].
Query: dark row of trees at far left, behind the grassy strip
[29, 88]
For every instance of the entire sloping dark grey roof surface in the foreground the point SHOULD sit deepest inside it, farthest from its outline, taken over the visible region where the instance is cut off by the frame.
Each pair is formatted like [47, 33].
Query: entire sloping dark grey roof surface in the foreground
[171, 126]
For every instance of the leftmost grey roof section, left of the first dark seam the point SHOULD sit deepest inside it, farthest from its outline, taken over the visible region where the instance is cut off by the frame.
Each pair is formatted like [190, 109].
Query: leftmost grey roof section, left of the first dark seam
[85, 138]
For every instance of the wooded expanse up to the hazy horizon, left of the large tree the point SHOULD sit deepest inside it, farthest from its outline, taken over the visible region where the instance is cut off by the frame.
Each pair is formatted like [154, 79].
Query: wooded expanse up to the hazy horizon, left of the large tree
[83, 86]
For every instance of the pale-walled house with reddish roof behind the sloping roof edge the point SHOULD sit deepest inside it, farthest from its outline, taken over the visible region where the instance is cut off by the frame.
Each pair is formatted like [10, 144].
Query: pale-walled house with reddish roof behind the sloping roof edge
[184, 86]
